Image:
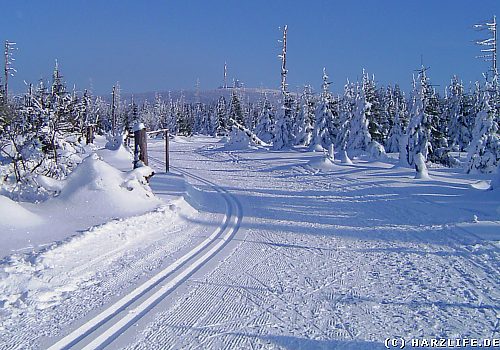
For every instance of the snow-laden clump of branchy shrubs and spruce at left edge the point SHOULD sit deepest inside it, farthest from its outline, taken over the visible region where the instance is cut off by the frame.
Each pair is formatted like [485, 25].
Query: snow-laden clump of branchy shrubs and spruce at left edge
[41, 135]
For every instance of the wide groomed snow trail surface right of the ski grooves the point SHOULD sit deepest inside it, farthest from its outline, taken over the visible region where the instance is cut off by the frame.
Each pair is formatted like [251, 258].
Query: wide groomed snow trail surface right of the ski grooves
[334, 259]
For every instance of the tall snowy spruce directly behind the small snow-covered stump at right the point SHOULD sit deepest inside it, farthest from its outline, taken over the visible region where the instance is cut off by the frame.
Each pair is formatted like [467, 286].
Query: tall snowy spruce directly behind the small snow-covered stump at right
[418, 134]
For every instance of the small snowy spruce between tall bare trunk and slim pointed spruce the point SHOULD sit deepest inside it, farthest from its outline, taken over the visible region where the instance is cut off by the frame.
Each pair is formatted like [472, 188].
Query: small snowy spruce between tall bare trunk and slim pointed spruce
[305, 119]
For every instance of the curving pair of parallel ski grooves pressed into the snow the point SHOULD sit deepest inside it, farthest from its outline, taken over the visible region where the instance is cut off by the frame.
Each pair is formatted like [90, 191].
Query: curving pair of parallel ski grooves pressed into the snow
[101, 330]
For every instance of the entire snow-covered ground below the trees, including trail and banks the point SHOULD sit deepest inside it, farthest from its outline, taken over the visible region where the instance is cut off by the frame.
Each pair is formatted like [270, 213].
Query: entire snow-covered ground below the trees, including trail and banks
[253, 248]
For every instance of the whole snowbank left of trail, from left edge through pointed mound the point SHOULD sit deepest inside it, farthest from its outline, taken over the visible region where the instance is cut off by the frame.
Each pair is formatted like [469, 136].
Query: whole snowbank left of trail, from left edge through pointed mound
[94, 193]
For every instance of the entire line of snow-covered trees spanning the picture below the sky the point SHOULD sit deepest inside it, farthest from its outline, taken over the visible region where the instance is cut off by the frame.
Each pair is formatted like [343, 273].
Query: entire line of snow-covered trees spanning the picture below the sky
[43, 128]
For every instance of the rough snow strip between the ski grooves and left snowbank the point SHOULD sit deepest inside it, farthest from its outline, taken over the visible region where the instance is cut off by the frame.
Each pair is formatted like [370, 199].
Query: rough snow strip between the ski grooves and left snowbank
[74, 278]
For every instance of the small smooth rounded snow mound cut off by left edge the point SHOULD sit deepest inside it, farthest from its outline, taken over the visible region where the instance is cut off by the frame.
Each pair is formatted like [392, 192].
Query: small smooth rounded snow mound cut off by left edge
[13, 215]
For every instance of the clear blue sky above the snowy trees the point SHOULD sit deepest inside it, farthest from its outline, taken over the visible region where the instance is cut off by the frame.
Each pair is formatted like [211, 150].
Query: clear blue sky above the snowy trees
[161, 45]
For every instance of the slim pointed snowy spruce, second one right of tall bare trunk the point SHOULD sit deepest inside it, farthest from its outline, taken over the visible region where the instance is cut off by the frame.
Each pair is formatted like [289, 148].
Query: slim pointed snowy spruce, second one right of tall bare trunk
[323, 131]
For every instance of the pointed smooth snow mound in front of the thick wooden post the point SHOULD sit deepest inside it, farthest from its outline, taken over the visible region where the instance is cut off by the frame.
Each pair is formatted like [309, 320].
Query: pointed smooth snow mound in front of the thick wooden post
[97, 187]
